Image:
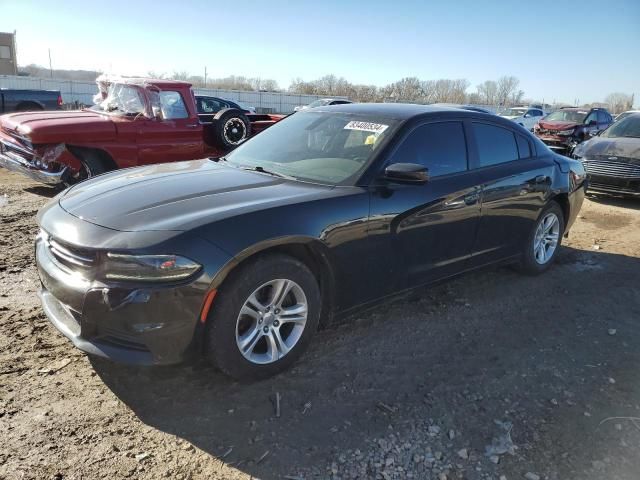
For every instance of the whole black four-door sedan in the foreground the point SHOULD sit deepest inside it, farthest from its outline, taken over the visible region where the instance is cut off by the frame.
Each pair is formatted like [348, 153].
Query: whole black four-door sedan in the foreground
[328, 211]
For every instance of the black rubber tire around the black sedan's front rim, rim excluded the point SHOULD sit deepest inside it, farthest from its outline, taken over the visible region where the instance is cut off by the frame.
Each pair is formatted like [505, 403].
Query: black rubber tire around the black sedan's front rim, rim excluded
[221, 348]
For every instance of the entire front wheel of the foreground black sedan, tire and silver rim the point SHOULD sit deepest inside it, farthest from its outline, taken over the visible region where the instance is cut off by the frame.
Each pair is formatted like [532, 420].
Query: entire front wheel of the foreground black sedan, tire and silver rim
[263, 318]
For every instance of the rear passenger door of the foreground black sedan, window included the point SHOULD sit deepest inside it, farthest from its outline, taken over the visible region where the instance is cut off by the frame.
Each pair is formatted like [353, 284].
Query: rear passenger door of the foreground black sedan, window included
[515, 183]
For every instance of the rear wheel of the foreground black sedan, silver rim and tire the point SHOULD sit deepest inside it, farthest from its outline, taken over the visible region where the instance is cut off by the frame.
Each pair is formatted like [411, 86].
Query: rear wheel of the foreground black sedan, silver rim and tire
[544, 240]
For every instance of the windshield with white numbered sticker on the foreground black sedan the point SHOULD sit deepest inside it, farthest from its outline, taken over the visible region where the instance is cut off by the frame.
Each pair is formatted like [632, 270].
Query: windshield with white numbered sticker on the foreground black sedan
[325, 148]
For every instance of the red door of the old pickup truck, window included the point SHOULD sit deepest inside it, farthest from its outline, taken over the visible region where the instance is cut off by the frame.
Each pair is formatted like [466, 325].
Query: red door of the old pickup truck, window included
[177, 135]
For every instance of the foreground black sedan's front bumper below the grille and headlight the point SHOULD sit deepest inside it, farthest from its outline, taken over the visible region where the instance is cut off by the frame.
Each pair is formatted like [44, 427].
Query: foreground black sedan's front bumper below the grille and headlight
[130, 324]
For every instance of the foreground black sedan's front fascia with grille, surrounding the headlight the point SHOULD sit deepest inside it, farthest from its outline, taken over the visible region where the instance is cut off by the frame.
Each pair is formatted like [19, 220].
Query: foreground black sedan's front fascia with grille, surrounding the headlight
[135, 323]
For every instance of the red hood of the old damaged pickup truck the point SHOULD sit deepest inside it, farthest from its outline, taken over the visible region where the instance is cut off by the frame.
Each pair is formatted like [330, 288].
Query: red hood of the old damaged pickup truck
[64, 126]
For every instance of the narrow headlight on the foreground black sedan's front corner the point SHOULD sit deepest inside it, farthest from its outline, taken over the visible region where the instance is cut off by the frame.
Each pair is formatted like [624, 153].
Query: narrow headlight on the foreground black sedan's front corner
[149, 268]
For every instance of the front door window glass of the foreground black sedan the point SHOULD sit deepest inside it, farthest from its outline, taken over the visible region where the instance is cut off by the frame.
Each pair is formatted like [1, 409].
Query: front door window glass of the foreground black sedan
[441, 147]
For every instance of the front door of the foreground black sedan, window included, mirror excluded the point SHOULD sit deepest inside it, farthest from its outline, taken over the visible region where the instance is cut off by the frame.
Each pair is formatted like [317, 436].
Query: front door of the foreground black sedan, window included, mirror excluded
[426, 231]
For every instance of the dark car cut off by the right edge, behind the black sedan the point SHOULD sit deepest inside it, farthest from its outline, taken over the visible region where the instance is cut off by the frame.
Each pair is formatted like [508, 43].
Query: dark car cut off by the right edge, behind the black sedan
[612, 159]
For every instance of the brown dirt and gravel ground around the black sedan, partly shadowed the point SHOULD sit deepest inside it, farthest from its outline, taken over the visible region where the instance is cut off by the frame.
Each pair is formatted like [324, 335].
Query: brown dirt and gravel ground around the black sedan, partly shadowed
[494, 375]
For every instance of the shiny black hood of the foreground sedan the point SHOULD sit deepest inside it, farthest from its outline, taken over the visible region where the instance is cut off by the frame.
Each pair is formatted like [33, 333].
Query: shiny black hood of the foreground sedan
[180, 196]
